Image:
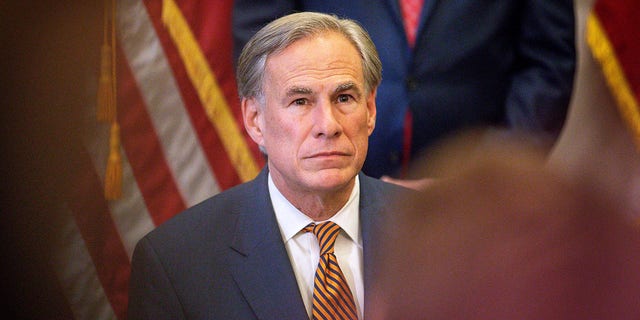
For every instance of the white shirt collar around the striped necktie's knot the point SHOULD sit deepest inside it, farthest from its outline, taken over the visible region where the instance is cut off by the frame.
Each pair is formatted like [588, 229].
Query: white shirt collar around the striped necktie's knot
[291, 220]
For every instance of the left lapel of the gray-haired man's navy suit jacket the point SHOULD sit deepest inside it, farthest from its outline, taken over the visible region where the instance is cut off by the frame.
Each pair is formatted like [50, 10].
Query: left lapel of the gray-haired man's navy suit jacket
[259, 262]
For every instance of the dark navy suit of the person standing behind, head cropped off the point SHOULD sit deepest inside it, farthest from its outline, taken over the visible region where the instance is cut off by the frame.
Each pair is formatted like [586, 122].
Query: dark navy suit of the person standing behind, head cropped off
[503, 63]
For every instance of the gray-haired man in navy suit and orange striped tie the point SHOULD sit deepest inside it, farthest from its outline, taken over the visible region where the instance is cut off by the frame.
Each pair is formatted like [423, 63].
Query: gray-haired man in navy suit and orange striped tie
[308, 84]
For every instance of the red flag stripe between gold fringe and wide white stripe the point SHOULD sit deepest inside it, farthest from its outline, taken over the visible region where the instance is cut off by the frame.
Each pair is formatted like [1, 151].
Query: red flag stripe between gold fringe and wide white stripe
[212, 146]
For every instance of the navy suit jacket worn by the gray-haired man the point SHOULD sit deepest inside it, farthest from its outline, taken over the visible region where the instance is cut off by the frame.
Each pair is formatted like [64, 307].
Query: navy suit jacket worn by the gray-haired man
[225, 259]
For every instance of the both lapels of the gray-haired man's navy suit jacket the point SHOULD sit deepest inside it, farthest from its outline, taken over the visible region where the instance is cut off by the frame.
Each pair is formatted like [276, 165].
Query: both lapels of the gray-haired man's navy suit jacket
[259, 262]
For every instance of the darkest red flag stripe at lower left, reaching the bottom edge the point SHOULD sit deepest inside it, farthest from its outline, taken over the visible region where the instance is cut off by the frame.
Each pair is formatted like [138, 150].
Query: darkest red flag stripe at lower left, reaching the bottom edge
[101, 238]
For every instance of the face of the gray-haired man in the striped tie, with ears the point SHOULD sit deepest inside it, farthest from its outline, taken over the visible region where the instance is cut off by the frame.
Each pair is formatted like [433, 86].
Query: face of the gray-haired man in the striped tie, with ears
[316, 118]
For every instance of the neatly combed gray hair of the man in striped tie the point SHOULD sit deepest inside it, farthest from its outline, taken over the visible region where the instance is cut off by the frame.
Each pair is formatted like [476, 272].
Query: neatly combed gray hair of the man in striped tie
[281, 33]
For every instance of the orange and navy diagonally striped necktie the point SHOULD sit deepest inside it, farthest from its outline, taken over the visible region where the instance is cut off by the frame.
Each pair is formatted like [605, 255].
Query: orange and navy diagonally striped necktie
[332, 298]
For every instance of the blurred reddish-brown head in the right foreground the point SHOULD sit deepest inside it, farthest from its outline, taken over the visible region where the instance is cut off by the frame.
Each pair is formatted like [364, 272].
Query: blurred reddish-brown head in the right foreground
[504, 238]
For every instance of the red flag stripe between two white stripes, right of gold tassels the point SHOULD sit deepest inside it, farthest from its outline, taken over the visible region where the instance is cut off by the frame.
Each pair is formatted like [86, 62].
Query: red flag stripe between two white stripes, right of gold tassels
[144, 150]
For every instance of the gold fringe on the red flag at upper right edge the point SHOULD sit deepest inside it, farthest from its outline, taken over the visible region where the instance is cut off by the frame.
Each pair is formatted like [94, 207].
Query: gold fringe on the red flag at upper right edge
[604, 53]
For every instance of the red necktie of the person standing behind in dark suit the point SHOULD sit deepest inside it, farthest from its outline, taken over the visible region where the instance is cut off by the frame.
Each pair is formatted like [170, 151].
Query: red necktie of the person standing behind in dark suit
[411, 10]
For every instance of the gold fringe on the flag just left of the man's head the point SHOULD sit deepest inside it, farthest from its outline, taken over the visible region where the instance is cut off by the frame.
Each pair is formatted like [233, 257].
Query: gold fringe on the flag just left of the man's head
[209, 92]
